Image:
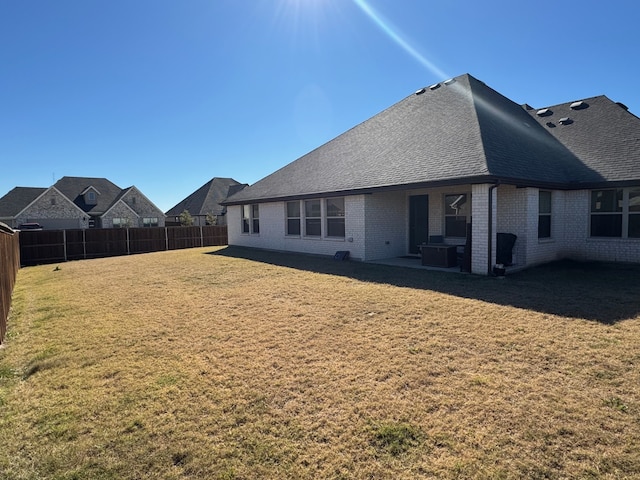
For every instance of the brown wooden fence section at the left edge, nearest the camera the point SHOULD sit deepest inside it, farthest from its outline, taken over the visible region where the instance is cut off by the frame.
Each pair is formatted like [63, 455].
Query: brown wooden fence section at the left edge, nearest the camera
[9, 265]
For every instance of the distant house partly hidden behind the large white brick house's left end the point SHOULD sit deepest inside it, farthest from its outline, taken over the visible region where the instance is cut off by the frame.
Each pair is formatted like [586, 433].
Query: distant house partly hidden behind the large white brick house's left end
[204, 204]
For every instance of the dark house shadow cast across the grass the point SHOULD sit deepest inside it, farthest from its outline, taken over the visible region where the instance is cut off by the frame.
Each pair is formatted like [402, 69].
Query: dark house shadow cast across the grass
[605, 293]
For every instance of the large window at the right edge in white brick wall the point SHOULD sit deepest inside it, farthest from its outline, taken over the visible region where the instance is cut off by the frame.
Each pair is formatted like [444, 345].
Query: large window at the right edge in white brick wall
[615, 213]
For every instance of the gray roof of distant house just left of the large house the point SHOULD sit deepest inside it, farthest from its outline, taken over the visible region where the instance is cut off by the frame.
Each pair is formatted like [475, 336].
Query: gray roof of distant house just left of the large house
[207, 198]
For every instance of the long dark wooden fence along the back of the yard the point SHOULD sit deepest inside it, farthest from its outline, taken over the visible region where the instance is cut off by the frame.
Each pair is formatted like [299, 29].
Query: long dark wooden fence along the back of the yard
[51, 246]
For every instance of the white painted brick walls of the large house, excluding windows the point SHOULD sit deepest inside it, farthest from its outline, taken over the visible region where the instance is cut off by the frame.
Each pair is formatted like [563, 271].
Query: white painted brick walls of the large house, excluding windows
[378, 225]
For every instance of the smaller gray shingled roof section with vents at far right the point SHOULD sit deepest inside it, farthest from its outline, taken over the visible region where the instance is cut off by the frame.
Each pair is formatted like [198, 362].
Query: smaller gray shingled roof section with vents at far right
[600, 132]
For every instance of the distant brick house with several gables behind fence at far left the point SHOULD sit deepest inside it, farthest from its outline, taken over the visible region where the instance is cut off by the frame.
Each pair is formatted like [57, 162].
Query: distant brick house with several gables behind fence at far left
[80, 202]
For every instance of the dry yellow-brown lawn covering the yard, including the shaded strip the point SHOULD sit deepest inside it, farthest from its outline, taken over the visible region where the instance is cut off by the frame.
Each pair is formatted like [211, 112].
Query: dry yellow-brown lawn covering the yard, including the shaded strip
[224, 363]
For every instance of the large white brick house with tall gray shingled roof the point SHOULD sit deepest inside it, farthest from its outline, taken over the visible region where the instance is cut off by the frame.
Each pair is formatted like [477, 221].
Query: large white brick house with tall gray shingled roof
[565, 180]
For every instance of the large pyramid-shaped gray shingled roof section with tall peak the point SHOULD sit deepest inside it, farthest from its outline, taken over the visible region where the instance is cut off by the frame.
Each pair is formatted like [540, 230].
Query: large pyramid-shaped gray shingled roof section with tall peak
[461, 131]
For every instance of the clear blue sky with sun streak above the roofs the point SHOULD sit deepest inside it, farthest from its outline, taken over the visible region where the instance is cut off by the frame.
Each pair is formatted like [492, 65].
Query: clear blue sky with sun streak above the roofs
[167, 94]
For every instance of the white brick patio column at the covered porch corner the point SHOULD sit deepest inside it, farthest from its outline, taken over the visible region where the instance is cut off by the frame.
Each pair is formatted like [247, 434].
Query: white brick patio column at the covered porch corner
[480, 227]
